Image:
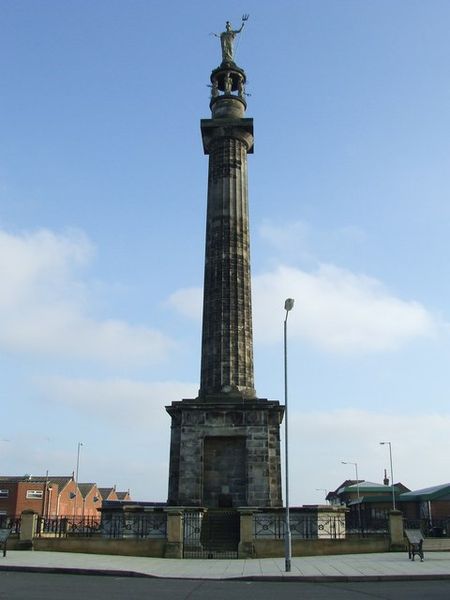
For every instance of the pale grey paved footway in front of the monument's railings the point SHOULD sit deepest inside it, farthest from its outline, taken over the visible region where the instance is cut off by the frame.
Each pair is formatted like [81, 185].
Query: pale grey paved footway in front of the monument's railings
[350, 567]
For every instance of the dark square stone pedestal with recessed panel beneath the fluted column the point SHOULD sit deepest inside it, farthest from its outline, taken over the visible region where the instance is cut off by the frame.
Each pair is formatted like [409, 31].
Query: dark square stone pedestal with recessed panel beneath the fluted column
[225, 452]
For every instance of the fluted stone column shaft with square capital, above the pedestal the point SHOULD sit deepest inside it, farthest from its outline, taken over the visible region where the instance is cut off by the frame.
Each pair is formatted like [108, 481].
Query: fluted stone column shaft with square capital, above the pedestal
[227, 338]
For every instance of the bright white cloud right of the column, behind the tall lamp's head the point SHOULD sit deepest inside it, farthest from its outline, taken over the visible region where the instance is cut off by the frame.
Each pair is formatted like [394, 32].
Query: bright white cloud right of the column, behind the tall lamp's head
[337, 310]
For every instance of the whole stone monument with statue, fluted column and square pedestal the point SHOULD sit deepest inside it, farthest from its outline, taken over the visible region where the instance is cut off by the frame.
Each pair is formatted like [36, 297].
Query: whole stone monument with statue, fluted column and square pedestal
[225, 444]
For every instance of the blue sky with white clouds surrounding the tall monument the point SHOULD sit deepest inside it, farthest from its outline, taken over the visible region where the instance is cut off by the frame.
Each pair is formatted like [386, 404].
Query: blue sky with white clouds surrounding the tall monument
[102, 214]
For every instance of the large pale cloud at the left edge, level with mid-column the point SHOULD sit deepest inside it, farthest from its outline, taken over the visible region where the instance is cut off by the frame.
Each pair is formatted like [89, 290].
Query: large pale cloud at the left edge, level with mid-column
[44, 304]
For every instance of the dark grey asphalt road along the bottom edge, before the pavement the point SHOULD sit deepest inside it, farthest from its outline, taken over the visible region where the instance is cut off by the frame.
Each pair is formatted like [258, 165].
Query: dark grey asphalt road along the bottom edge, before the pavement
[42, 586]
